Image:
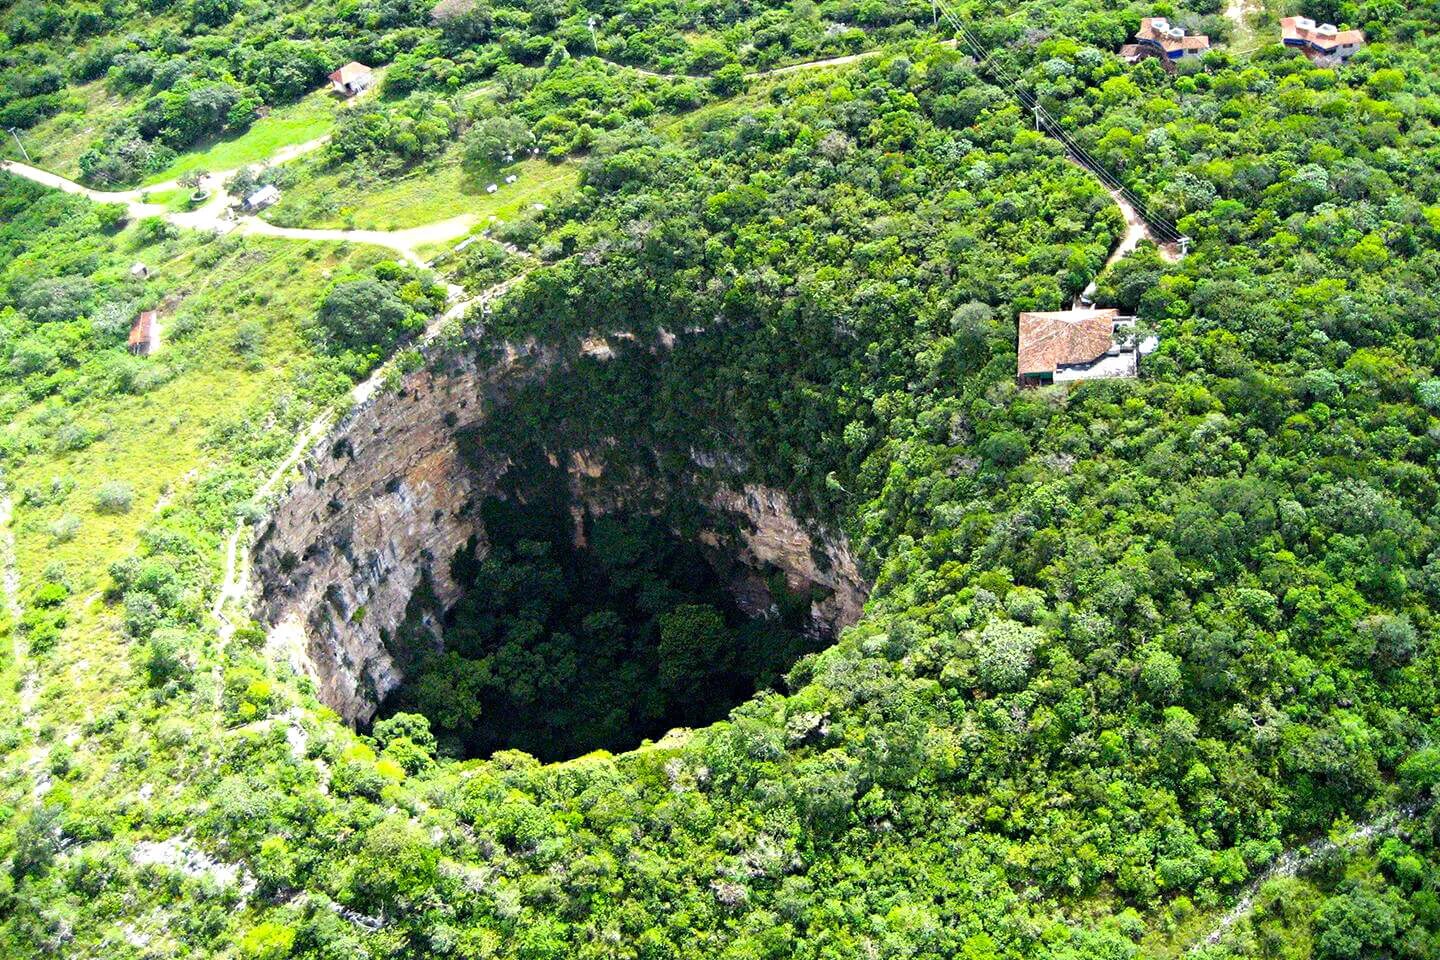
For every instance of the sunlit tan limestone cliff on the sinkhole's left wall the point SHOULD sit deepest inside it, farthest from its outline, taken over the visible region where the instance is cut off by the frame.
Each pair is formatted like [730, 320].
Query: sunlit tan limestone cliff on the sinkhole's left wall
[384, 506]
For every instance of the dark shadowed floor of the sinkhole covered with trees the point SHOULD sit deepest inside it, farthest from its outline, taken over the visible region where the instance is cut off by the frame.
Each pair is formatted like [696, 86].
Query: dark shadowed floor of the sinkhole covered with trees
[581, 634]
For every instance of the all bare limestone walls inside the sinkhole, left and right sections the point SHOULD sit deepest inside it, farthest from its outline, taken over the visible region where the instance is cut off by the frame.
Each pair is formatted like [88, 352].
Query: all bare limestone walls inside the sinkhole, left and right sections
[390, 497]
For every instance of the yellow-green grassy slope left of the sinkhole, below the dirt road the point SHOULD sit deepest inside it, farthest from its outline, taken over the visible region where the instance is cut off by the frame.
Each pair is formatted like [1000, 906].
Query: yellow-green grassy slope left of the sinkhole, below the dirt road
[155, 443]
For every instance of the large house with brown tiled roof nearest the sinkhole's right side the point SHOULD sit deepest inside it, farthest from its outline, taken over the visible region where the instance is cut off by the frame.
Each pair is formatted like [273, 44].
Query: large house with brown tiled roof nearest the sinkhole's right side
[1076, 345]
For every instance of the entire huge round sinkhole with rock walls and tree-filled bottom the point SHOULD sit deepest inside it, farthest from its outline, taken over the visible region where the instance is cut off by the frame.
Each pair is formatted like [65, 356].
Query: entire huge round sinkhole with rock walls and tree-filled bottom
[532, 558]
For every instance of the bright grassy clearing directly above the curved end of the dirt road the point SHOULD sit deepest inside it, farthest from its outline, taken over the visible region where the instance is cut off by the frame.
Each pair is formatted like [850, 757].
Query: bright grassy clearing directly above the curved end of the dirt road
[326, 198]
